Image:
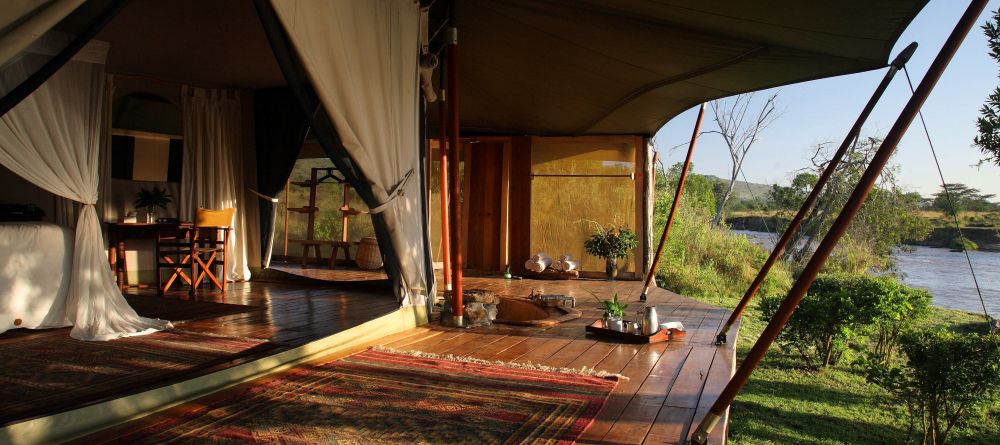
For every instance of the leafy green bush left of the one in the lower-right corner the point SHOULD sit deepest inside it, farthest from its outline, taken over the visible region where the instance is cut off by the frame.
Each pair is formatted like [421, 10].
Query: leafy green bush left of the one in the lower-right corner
[841, 309]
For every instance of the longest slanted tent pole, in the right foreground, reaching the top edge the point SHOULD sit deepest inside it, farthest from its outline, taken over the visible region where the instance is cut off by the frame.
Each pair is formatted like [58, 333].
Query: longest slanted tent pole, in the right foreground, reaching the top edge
[840, 225]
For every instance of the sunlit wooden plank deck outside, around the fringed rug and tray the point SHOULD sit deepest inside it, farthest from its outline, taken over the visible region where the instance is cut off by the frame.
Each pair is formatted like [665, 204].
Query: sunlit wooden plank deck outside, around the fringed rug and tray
[670, 385]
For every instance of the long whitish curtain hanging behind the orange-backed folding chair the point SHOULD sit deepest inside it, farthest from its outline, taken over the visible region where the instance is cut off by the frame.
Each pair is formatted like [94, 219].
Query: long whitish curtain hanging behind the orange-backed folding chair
[212, 174]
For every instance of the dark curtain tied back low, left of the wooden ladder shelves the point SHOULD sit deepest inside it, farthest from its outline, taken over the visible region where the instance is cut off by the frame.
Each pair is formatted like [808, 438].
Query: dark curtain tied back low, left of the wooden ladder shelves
[280, 130]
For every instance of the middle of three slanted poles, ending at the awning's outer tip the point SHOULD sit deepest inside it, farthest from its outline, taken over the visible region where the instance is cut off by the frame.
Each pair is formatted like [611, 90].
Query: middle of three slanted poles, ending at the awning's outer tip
[794, 224]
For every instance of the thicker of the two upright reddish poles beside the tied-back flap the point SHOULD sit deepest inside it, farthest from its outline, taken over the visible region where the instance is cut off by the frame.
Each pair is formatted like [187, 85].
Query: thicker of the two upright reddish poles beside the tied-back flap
[454, 146]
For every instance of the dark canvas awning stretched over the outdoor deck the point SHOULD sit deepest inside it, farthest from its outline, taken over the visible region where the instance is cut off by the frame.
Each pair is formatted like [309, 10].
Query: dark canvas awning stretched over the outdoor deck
[628, 66]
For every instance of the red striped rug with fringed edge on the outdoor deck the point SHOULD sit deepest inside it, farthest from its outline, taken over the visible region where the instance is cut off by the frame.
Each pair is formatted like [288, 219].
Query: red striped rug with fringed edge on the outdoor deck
[382, 397]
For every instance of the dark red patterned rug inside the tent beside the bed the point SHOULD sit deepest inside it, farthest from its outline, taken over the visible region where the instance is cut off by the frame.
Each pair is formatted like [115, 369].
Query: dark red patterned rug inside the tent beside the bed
[46, 371]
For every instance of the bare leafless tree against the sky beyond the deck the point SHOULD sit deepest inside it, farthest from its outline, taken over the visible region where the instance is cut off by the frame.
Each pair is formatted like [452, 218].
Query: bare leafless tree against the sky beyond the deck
[740, 127]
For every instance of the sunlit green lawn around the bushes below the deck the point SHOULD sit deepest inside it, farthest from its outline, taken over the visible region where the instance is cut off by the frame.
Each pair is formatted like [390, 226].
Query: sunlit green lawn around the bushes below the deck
[785, 404]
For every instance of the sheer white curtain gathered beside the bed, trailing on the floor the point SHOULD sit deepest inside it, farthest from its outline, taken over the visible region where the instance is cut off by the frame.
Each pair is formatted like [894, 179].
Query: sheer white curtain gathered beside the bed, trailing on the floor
[52, 139]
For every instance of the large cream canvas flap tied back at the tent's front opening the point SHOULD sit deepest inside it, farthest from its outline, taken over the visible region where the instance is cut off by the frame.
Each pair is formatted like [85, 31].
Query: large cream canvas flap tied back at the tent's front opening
[361, 57]
